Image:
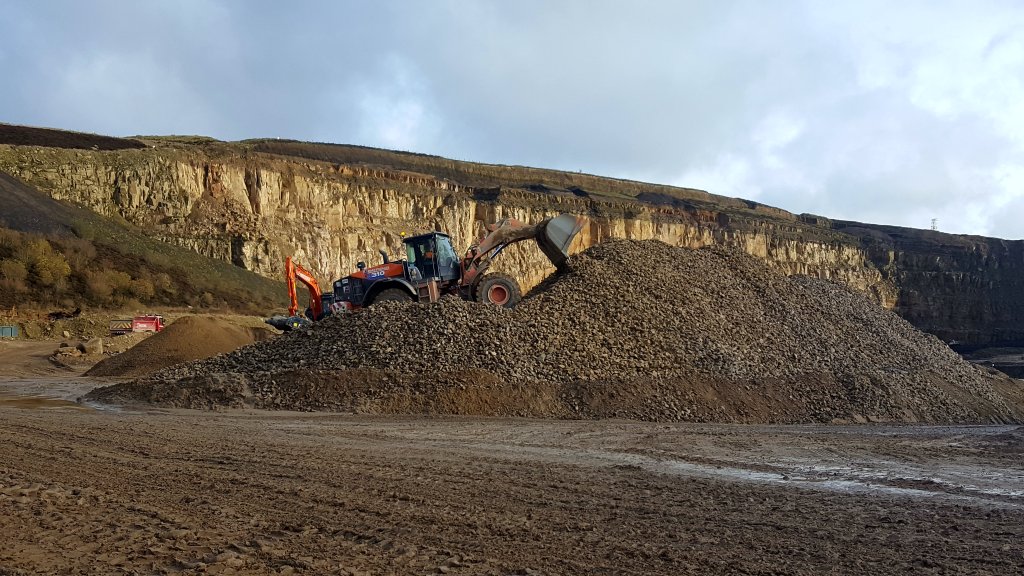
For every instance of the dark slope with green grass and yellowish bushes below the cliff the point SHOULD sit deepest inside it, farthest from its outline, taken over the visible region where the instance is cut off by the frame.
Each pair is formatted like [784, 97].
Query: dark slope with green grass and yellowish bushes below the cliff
[57, 255]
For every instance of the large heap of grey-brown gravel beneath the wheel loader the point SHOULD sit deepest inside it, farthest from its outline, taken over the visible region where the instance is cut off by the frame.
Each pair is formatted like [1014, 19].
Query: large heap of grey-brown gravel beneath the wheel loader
[634, 330]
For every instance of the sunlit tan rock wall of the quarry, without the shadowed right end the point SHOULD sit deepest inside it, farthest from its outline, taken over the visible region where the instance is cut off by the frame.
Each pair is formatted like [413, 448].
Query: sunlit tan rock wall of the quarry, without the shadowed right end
[254, 212]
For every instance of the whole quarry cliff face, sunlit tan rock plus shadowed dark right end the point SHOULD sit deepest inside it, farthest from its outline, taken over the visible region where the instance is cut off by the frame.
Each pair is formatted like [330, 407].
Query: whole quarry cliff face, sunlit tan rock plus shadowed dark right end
[255, 210]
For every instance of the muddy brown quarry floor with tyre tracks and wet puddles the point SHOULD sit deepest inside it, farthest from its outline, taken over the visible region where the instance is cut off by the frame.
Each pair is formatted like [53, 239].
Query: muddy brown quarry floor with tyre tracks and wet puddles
[89, 490]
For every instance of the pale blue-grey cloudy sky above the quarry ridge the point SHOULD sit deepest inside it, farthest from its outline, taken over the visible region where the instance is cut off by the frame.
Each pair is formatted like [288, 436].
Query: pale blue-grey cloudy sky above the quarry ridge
[879, 111]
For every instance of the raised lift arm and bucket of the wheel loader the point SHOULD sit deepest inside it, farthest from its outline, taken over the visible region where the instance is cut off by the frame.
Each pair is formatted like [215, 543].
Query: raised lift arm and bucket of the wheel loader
[553, 236]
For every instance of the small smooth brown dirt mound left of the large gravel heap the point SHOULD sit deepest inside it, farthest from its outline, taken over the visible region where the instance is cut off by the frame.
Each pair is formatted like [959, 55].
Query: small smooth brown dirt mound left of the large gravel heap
[189, 339]
